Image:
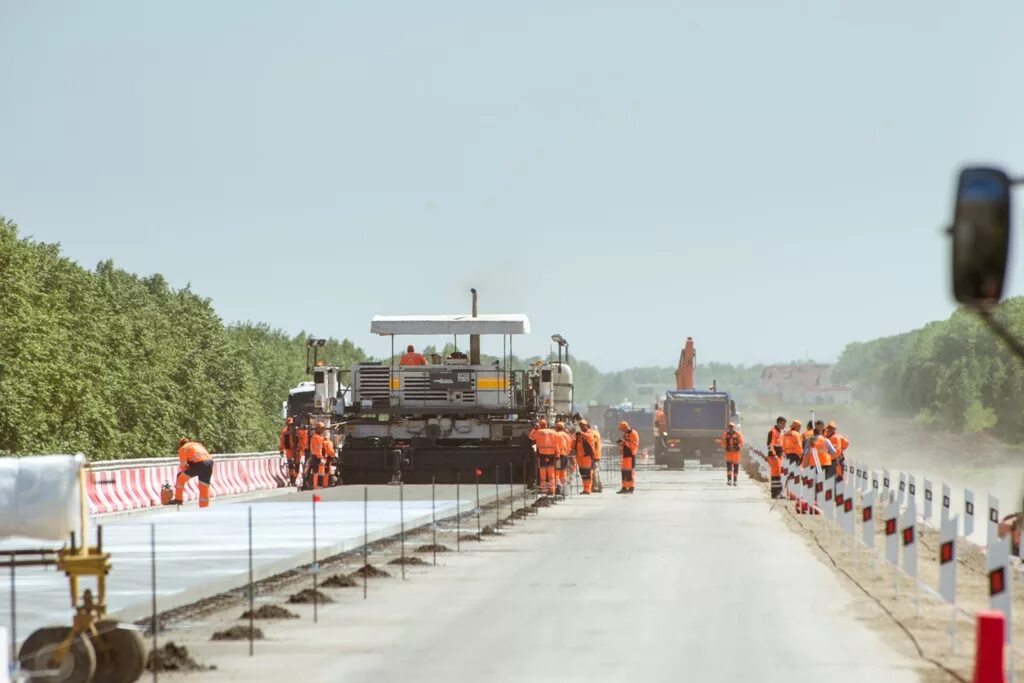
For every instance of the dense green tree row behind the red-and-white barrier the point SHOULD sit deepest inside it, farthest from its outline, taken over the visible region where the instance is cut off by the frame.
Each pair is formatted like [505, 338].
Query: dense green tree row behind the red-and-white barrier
[117, 366]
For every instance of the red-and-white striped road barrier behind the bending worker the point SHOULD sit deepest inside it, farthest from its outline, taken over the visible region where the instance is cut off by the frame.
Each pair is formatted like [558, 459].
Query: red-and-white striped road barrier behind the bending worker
[121, 486]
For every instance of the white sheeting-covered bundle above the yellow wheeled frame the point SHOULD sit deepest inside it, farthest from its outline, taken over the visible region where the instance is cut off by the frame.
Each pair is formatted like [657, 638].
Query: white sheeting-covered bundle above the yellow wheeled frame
[40, 497]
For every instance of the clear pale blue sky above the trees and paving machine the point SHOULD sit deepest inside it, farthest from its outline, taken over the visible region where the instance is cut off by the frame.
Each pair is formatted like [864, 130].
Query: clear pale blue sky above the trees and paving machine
[626, 174]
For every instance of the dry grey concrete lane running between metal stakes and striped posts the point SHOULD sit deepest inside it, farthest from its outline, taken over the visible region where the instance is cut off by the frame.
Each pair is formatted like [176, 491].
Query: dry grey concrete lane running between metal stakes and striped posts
[687, 580]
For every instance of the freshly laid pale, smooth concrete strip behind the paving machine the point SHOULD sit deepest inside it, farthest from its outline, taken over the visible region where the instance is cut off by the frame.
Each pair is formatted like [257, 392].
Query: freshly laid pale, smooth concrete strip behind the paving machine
[203, 552]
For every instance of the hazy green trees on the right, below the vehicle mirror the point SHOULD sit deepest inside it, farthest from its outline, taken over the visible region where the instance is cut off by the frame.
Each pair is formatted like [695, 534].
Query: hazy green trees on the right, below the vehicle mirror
[952, 373]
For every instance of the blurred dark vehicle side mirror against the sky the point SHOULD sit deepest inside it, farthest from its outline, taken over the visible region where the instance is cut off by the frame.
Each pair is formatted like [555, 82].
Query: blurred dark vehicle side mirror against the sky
[982, 236]
